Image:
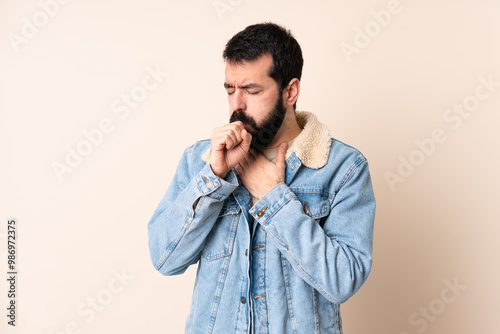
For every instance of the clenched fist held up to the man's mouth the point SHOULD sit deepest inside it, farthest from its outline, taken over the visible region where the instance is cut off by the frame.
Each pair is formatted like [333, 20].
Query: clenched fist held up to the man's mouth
[229, 144]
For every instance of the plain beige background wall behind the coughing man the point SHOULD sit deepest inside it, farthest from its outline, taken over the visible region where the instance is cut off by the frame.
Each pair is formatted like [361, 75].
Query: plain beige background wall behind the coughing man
[437, 224]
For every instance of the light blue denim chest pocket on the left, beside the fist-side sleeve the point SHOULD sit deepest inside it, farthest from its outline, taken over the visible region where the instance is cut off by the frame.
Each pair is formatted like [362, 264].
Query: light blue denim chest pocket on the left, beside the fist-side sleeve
[220, 240]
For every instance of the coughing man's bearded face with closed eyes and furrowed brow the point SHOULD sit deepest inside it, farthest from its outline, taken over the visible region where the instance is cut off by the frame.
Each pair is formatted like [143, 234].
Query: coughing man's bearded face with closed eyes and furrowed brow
[255, 99]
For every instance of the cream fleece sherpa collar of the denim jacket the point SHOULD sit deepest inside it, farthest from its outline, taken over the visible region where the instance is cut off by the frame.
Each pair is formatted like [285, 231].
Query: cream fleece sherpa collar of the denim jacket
[312, 145]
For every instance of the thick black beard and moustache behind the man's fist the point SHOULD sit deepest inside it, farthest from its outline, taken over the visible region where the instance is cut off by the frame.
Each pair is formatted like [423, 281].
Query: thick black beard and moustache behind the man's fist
[264, 134]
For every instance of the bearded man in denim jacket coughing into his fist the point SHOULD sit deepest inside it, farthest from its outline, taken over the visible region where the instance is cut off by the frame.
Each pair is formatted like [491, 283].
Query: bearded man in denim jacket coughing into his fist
[277, 213]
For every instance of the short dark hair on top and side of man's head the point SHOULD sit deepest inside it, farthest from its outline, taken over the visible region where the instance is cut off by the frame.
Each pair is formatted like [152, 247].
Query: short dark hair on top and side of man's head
[268, 38]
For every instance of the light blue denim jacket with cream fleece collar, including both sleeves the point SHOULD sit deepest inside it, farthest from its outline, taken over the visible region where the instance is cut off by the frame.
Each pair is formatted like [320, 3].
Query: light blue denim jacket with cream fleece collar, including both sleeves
[308, 250]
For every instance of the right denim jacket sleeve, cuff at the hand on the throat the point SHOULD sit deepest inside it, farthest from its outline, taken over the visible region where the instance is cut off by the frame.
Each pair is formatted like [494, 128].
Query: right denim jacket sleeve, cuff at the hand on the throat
[334, 259]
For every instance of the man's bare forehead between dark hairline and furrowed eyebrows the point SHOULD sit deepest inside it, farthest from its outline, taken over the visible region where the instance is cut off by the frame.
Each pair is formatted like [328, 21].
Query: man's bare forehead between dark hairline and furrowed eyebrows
[249, 71]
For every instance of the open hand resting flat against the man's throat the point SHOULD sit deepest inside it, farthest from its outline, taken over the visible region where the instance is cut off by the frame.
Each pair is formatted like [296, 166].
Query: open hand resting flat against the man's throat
[258, 174]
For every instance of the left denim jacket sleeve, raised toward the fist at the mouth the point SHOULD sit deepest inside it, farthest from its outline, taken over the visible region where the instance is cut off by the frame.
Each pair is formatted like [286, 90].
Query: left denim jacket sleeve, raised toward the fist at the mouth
[178, 229]
